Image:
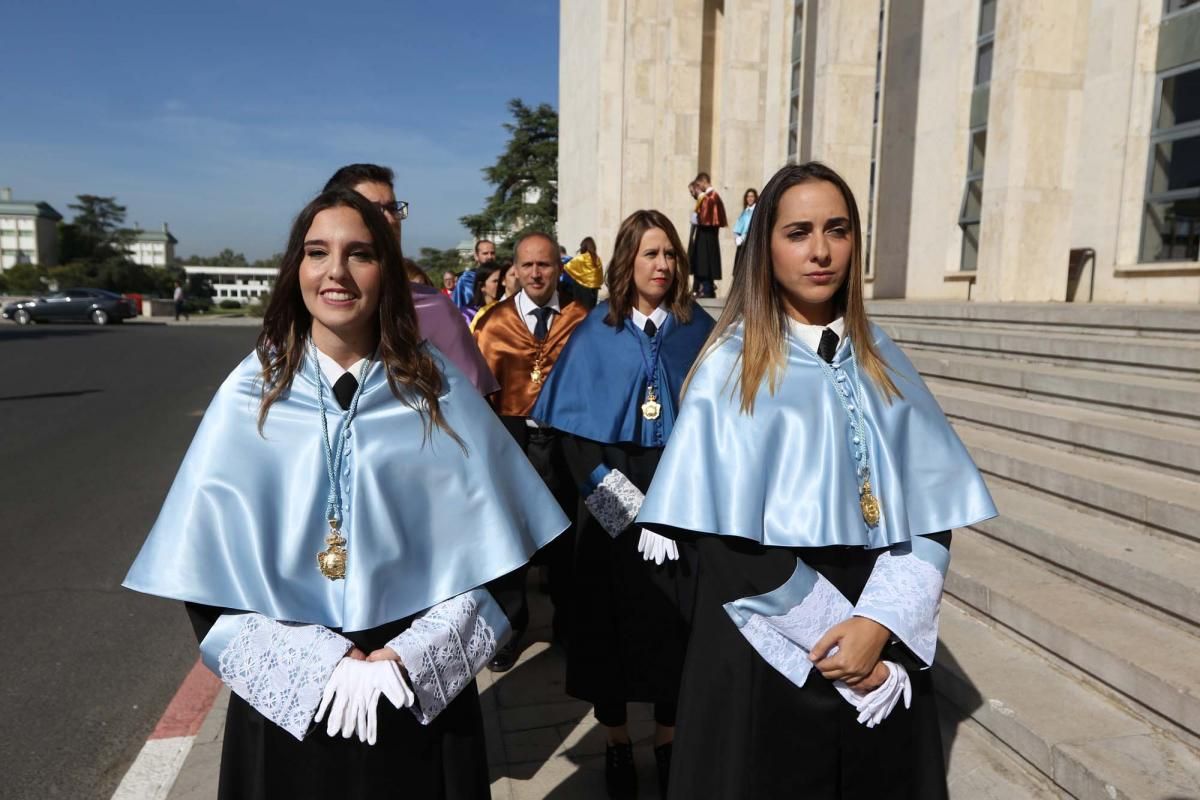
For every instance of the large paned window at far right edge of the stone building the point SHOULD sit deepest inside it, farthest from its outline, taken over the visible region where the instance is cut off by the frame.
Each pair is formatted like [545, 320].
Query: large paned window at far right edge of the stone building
[1171, 227]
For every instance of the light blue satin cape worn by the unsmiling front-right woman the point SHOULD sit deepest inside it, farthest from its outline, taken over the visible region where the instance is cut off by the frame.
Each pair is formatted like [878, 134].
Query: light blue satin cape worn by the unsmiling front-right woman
[785, 476]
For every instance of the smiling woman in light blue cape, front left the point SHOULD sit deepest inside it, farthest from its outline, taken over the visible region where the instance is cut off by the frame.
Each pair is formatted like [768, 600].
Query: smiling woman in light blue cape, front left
[334, 527]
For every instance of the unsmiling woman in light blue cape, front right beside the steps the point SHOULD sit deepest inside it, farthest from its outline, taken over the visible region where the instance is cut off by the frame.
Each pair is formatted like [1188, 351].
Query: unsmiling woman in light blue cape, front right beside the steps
[820, 482]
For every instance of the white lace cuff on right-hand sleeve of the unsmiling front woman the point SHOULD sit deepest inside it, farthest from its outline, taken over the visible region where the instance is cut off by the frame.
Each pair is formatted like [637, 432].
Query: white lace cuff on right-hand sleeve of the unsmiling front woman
[904, 594]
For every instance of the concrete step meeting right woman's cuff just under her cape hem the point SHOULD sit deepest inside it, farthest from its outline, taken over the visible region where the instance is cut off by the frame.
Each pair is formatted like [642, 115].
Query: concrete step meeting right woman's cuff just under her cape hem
[1147, 659]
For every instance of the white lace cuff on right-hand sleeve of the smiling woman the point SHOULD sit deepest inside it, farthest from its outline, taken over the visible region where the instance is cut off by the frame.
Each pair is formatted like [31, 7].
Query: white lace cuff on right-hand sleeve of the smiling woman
[447, 647]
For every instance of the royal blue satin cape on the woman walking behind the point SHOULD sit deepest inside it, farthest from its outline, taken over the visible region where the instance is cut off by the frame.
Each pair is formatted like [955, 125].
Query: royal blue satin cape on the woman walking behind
[598, 386]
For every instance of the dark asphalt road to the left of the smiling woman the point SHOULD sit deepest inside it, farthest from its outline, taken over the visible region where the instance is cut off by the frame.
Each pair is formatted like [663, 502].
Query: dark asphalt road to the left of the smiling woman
[94, 423]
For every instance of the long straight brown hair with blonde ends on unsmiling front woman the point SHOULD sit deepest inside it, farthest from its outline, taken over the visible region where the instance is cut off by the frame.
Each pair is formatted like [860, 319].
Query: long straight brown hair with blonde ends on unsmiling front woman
[755, 297]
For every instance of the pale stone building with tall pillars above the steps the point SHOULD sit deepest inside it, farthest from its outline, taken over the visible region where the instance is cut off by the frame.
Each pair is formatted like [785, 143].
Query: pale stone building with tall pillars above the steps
[1001, 151]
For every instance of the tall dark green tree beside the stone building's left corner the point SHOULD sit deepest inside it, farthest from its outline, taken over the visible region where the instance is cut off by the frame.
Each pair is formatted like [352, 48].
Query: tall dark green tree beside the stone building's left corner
[525, 177]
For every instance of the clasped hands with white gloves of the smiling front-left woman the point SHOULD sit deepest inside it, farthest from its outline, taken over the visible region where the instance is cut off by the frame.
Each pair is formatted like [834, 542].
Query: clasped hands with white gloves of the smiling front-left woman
[353, 693]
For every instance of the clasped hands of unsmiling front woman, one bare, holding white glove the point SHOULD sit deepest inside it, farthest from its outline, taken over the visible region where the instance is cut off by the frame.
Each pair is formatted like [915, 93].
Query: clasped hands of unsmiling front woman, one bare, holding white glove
[850, 653]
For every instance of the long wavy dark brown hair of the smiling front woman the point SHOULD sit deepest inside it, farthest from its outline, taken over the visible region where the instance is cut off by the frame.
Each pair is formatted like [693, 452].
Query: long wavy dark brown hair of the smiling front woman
[412, 374]
